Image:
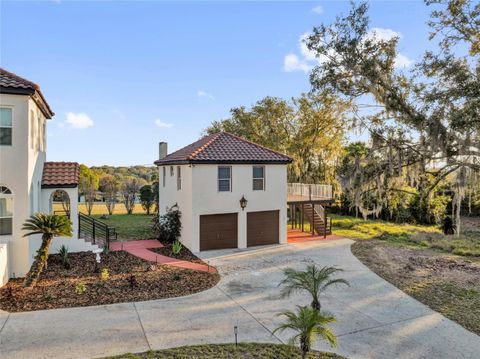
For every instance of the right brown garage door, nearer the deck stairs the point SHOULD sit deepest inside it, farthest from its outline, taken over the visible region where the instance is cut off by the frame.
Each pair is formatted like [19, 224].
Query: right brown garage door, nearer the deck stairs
[262, 228]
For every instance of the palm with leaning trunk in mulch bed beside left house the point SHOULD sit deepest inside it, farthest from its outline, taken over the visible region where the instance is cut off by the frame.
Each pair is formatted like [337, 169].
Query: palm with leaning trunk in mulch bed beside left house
[48, 226]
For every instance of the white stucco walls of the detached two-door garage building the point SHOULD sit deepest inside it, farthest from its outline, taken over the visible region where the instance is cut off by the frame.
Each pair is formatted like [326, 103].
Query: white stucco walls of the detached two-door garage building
[199, 195]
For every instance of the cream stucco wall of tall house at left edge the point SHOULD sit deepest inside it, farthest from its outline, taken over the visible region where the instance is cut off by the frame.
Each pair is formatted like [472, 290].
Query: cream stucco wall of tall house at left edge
[21, 166]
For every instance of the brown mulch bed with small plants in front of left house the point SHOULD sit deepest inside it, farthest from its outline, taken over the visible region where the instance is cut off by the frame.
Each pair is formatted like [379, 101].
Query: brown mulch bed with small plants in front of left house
[130, 279]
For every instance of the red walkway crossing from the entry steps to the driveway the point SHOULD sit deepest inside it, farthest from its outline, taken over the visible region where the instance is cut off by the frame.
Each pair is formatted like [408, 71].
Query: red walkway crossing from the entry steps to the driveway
[142, 250]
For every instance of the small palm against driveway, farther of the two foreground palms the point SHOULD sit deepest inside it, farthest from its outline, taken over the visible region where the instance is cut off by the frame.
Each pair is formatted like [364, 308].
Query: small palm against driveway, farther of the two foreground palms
[314, 280]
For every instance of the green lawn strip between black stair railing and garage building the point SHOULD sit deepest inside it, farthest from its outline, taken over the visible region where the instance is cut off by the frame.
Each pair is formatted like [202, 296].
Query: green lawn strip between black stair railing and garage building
[130, 226]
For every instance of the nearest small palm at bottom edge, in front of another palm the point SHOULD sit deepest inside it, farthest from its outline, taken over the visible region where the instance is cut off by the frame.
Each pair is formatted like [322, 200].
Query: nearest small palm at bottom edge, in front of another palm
[309, 324]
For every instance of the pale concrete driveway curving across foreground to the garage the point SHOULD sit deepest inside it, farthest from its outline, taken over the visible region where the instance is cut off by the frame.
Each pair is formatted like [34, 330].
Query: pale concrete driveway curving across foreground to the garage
[375, 320]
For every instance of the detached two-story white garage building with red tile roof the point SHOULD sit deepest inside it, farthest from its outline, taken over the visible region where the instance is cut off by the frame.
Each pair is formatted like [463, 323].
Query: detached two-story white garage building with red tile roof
[232, 193]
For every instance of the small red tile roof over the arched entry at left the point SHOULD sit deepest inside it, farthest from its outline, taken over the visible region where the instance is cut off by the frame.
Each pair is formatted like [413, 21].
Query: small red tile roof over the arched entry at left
[60, 174]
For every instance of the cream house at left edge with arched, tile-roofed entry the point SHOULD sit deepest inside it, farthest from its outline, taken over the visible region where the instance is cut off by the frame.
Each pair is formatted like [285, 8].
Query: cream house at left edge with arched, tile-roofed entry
[29, 184]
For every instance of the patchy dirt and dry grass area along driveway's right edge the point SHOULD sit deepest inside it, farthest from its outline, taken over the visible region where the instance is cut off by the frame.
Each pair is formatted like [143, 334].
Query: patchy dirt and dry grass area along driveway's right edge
[448, 284]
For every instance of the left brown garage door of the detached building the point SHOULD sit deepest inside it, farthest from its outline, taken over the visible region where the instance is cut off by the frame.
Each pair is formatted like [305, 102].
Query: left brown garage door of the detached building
[218, 231]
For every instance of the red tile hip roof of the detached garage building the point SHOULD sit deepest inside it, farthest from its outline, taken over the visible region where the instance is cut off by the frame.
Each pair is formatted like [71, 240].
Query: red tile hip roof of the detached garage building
[223, 147]
